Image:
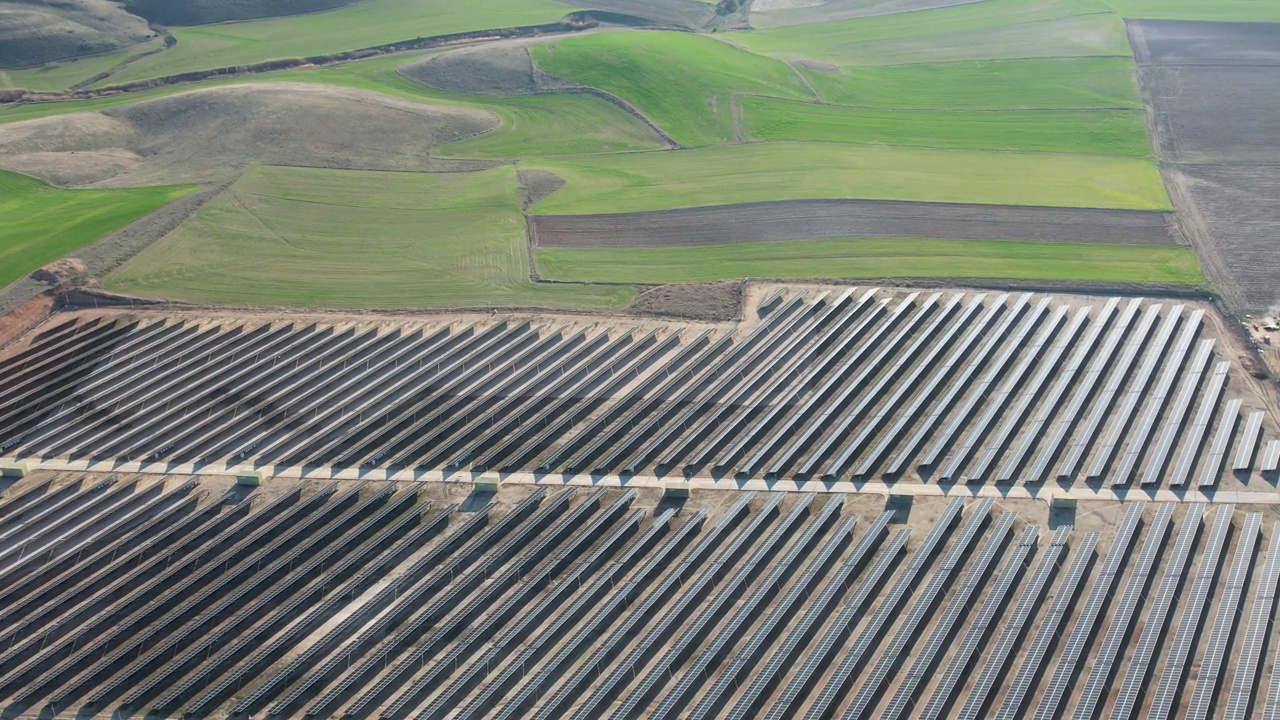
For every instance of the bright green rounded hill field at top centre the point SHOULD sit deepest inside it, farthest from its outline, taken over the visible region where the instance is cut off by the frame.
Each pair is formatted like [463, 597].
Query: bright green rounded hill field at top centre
[680, 81]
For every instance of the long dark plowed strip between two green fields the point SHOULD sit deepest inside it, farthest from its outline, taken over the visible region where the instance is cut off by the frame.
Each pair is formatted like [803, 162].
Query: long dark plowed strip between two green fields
[853, 218]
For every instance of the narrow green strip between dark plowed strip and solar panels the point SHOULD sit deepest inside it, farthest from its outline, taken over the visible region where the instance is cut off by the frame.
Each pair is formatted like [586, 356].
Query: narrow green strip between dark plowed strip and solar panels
[889, 258]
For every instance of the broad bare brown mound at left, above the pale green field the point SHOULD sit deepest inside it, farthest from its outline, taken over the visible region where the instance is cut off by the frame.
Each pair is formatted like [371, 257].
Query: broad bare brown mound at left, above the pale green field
[207, 135]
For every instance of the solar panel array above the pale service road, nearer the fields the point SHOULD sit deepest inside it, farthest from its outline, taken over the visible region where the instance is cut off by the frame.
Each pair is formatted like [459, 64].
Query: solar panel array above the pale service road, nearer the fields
[834, 385]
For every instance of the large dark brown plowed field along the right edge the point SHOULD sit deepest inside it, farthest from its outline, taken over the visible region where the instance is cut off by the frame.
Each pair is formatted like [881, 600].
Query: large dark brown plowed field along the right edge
[1214, 90]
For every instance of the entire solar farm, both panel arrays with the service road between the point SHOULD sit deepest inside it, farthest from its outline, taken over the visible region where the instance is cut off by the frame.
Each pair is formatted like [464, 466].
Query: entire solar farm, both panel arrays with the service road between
[853, 503]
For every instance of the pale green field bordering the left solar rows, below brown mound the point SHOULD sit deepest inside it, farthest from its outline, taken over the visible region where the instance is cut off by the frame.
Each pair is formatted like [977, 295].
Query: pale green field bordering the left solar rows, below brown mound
[350, 239]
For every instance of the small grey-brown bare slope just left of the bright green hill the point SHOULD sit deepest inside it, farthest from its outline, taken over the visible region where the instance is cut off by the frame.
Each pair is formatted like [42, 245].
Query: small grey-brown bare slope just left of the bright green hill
[491, 70]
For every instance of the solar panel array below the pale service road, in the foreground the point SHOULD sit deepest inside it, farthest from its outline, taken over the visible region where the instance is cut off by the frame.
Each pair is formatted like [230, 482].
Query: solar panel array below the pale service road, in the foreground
[156, 596]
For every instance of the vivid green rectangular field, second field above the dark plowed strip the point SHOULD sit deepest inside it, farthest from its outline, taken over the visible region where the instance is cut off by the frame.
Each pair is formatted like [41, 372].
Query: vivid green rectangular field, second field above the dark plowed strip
[1104, 133]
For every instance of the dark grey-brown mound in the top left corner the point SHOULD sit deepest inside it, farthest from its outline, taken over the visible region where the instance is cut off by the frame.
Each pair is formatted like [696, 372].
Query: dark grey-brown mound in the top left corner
[34, 33]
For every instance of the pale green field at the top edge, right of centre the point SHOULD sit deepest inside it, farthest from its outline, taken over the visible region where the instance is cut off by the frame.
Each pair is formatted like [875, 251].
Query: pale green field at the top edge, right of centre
[989, 30]
